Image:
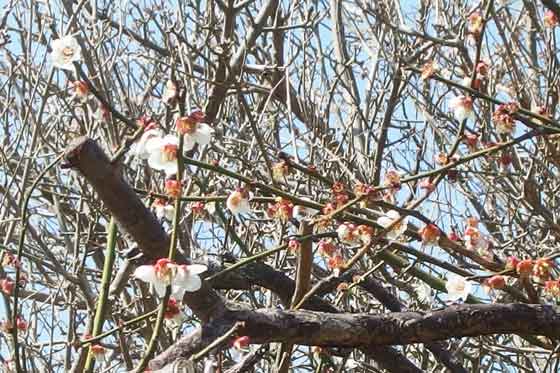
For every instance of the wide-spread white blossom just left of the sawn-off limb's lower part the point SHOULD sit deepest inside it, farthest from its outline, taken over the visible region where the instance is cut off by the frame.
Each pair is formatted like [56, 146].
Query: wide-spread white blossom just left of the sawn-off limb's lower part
[165, 272]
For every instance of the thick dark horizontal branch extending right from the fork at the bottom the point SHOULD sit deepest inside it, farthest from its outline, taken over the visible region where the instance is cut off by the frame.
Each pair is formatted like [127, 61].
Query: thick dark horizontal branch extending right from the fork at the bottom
[397, 328]
